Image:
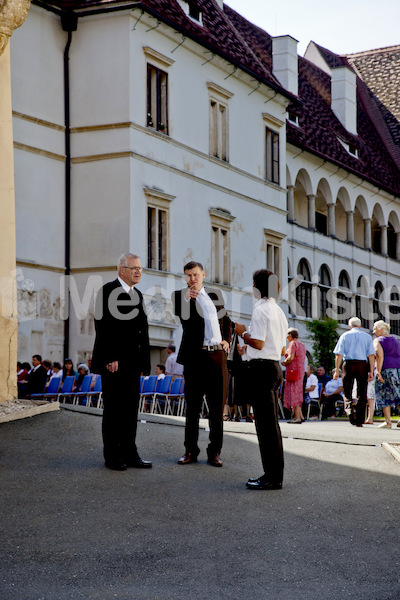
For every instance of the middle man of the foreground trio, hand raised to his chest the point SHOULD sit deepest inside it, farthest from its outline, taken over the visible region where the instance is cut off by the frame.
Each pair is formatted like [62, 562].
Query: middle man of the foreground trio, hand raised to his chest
[205, 342]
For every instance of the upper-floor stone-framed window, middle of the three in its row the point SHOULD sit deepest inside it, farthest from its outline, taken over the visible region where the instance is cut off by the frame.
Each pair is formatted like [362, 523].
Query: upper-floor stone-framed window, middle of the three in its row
[219, 121]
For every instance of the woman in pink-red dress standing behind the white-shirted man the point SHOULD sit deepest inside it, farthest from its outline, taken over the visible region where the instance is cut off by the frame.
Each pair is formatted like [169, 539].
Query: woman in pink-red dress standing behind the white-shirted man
[294, 360]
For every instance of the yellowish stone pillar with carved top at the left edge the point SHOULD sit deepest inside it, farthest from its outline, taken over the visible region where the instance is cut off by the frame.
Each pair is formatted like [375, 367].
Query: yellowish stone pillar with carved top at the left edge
[12, 14]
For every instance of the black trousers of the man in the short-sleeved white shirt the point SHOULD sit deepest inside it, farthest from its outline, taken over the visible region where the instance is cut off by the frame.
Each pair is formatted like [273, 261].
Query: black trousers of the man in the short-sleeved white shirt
[265, 378]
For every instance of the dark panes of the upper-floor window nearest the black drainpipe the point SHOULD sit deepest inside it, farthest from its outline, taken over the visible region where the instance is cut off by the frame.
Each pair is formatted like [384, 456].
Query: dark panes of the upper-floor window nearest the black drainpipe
[157, 99]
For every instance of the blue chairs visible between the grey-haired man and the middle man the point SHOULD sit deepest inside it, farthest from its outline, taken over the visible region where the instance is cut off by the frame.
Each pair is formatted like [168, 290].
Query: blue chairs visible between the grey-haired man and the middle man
[162, 396]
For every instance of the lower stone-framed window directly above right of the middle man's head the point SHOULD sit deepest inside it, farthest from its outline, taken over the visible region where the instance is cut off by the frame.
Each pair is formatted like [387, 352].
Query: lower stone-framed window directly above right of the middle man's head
[220, 245]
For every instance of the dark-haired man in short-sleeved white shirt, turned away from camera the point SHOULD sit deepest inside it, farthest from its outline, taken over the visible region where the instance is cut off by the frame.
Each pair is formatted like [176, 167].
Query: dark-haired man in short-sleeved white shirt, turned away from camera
[266, 342]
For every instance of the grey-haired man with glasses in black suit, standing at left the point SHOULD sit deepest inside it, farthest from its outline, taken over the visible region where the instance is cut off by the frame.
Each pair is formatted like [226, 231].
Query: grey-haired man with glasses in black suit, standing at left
[121, 353]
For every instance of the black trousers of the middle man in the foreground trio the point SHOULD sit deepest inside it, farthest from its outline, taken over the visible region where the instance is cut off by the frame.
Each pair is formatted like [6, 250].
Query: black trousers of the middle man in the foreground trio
[208, 376]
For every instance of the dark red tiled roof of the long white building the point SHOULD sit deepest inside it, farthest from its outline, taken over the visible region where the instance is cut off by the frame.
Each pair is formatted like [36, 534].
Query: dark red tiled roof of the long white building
[246, 46]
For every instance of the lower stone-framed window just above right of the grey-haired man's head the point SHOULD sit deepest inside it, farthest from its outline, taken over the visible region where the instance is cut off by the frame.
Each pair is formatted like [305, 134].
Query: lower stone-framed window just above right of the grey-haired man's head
[158, 238]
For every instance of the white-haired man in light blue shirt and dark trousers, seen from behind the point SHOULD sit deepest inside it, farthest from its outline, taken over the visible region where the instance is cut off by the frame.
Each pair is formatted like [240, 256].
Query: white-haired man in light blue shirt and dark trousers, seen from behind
[357, 350]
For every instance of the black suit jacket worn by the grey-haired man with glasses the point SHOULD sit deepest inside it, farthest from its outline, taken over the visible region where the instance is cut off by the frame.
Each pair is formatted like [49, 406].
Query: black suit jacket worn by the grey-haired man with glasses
[121, 330]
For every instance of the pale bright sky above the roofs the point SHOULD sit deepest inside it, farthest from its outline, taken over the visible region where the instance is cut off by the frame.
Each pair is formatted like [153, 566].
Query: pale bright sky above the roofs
[342, 26]
